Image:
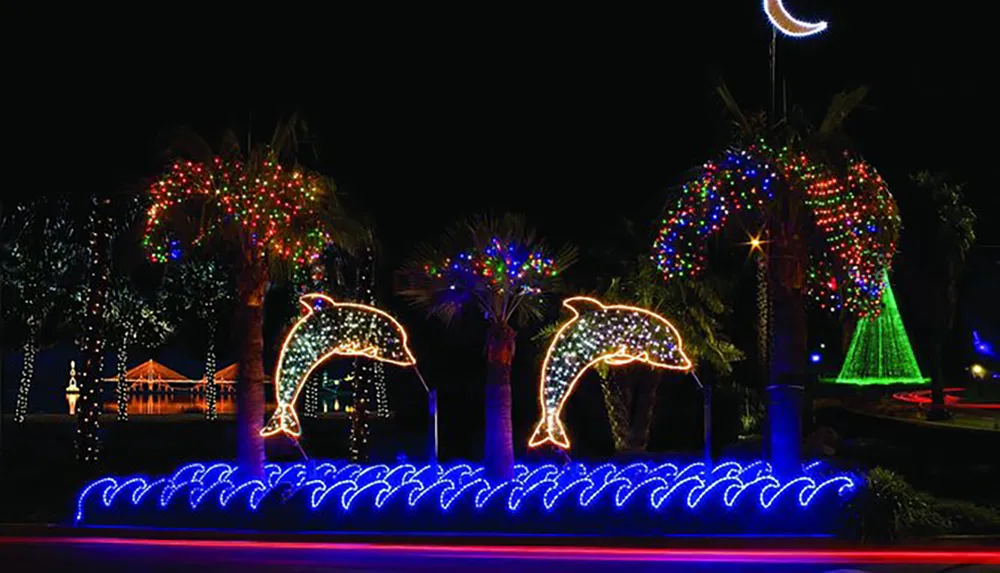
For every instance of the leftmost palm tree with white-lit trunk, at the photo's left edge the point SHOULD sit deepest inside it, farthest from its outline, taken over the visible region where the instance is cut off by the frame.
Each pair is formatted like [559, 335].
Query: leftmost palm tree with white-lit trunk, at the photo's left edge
[36, 268]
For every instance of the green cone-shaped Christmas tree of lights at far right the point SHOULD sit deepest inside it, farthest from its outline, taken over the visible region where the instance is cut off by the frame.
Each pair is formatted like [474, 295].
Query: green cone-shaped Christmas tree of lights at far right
[880, 351]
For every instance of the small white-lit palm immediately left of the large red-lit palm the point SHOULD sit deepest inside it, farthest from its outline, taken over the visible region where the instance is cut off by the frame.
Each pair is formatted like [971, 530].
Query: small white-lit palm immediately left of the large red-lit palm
[202, 289]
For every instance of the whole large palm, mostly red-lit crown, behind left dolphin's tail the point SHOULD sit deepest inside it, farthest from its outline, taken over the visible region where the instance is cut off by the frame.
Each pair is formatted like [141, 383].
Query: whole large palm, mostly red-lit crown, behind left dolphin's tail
[260, 212]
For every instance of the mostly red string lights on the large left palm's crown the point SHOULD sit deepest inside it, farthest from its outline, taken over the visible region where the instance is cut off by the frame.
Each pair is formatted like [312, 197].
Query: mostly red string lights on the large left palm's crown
[262, 202]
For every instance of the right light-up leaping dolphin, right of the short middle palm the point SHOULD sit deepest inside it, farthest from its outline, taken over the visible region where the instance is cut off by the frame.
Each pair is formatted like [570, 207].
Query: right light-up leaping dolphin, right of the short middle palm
[613, 334]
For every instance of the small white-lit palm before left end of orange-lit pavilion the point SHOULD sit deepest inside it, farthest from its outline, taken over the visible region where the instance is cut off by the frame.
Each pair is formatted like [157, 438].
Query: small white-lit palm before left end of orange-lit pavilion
[131, 318]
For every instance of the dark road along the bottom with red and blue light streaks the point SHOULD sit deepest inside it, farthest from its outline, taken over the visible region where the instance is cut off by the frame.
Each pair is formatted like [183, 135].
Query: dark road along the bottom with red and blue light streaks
[145, 556]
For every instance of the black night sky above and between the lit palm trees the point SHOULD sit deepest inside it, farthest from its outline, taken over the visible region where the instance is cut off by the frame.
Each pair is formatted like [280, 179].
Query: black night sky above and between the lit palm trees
[578, 117]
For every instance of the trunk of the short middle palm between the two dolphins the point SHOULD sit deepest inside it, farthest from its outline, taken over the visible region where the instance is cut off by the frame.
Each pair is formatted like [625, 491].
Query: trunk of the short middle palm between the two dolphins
[499, 447]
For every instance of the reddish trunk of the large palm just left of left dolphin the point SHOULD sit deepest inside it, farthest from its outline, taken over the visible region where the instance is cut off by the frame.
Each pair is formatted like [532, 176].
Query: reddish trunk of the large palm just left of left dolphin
[250, 383]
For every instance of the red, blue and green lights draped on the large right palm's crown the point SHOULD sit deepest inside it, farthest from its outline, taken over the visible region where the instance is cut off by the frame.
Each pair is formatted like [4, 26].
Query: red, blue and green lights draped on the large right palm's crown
[853, 214]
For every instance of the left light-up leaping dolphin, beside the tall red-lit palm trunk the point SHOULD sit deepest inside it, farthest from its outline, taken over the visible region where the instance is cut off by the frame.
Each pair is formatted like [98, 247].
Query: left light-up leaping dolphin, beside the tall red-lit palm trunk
[331, 328]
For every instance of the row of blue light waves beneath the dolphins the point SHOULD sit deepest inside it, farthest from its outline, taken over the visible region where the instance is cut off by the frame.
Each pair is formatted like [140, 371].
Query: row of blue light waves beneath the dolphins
[408, 497]
